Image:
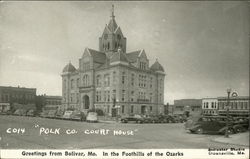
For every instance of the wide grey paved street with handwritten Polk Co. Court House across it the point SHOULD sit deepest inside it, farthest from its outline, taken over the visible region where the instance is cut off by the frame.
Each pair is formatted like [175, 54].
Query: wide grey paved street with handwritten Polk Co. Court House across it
[40, 133]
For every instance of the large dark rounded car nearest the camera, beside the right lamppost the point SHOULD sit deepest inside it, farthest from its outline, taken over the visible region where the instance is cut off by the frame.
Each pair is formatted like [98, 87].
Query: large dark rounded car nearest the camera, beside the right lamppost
[211, 125]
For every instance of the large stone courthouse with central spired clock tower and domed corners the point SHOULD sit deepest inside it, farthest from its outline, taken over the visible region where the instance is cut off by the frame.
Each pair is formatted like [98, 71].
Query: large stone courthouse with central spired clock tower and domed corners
[111, 77]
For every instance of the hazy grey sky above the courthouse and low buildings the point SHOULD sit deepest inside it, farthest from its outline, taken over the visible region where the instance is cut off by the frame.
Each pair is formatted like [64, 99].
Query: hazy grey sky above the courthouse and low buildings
[203, 46]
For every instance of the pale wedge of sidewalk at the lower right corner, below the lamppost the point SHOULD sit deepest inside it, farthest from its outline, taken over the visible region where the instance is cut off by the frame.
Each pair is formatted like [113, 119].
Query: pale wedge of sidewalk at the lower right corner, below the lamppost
[241, 139]
